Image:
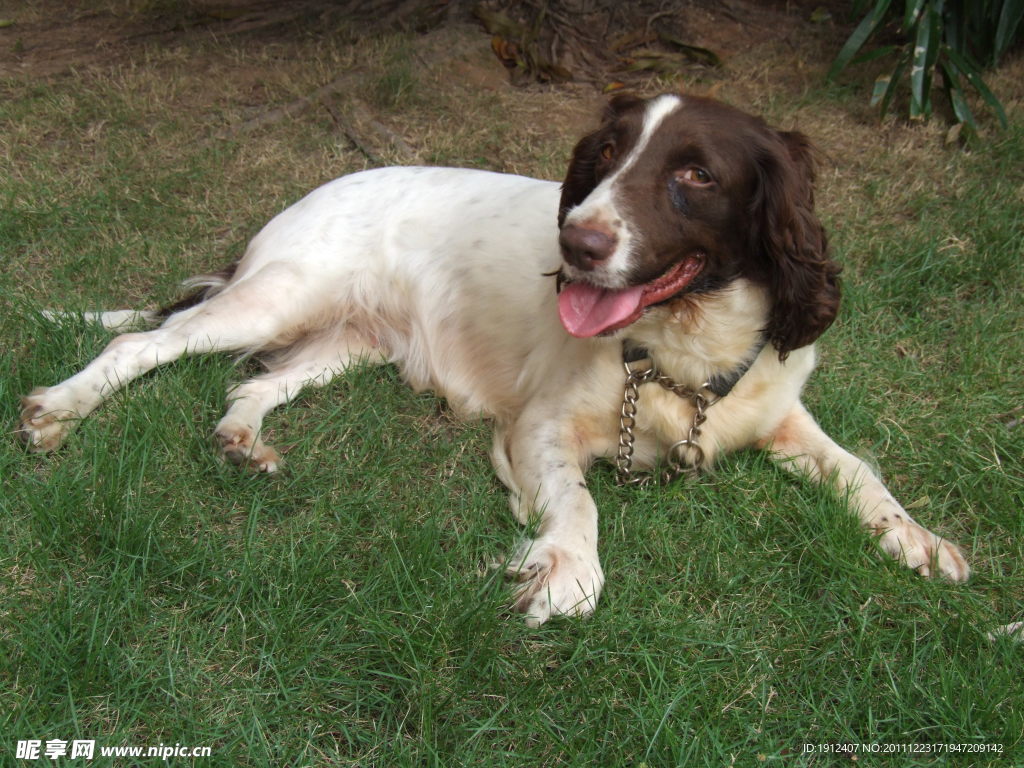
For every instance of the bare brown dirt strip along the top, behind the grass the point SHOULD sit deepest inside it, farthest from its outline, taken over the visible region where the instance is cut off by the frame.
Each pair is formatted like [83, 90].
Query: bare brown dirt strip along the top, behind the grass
[44, 37]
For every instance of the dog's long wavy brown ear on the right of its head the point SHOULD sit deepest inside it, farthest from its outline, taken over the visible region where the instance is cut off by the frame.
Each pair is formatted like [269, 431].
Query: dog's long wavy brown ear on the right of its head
[803, 280]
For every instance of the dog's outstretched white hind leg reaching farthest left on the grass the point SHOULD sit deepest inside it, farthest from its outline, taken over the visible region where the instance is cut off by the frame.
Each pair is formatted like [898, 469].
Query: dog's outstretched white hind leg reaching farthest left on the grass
[237, 319]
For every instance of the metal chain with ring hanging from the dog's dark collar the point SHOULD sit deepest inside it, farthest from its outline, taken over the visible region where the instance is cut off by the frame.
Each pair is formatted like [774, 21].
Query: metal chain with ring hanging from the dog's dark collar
[686, 455]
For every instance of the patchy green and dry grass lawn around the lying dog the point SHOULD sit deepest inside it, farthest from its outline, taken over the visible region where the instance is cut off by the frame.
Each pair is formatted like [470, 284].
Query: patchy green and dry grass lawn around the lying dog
[348, 611]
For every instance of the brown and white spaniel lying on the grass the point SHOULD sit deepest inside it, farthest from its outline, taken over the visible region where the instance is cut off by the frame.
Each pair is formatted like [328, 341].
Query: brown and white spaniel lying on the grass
[682, 250]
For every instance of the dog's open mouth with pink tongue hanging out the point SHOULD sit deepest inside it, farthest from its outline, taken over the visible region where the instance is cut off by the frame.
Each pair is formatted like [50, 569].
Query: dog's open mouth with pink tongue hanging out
[588, 311]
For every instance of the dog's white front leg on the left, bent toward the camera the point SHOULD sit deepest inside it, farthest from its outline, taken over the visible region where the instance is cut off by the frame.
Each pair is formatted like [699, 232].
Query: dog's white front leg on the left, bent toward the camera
[542, 460]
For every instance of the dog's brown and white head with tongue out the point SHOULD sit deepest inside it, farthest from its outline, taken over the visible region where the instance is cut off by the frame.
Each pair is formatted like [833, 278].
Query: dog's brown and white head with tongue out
[681, 195]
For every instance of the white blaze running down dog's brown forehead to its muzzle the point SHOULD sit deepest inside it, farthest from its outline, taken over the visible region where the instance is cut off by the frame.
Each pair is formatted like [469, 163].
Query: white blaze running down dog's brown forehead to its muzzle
[601, 206]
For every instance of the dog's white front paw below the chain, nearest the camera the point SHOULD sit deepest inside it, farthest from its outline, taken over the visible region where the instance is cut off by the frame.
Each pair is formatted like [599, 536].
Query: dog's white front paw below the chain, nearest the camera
[556, 580]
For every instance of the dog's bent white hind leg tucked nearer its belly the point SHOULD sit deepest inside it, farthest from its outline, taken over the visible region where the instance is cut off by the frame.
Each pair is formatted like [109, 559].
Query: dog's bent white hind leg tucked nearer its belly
[312, 364]
